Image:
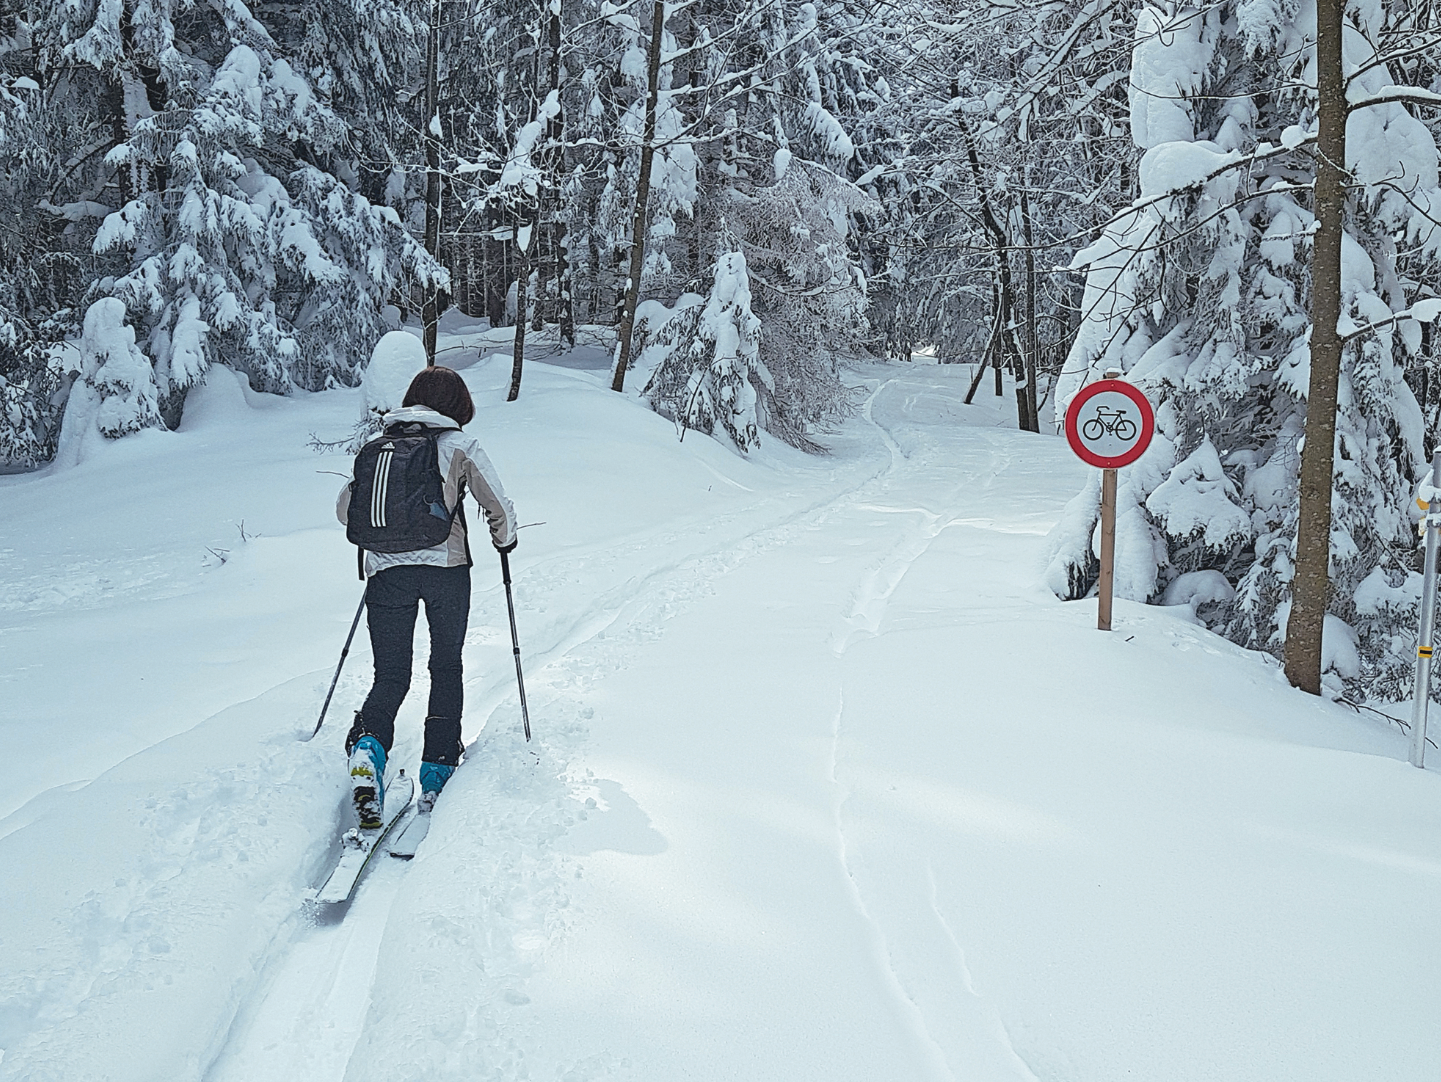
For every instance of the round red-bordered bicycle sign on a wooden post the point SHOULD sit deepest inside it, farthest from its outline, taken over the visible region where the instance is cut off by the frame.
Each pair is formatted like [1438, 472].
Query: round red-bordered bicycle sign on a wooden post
[1109, 424]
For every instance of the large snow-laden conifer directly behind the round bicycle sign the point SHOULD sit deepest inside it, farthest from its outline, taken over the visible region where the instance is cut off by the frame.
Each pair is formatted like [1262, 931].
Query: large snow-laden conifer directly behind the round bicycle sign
[1201, 296]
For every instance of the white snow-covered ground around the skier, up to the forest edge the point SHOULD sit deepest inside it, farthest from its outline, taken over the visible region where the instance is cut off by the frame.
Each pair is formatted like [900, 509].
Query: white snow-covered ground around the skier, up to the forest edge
[825, 784]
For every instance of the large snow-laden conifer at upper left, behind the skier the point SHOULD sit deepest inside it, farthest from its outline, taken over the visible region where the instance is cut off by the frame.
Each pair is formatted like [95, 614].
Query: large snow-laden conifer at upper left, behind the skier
[226, 241]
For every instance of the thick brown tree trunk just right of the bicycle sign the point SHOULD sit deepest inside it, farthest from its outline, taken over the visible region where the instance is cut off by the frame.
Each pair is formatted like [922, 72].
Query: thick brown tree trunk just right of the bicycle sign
[1311, 587]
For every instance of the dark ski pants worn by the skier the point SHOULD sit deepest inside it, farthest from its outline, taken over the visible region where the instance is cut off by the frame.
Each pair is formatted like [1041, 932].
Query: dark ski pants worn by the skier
[393, 599]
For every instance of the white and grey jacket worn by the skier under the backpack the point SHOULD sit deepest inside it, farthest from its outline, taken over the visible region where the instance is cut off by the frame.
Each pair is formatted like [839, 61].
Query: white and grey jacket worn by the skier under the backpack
[462, 463]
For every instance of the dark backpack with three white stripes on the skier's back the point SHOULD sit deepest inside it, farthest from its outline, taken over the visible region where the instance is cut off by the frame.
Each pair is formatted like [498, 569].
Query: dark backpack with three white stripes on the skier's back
[398, 495]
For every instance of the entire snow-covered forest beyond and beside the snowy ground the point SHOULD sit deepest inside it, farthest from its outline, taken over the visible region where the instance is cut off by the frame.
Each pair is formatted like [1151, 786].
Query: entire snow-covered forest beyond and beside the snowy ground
[750, 194]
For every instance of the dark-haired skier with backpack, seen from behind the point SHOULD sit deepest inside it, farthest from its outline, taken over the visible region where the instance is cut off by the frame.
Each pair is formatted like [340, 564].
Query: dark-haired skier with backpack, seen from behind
[437, 406]
